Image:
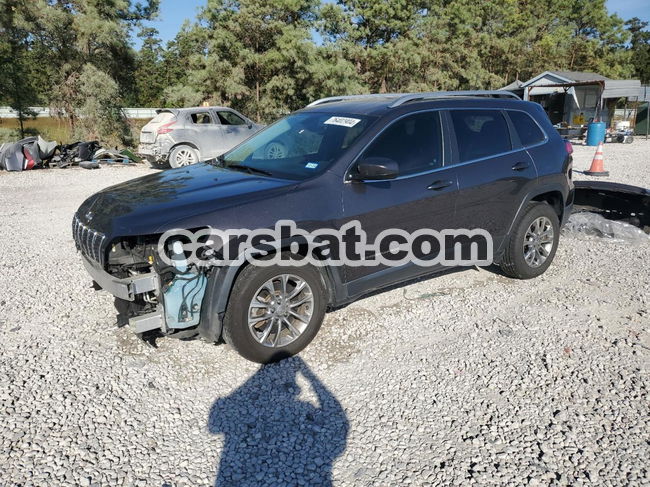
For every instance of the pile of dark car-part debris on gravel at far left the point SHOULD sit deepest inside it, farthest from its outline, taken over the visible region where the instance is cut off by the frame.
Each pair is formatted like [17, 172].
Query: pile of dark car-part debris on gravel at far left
[36, 153]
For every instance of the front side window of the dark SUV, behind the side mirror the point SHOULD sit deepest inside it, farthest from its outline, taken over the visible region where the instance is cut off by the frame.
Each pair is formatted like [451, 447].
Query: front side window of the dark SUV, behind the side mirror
[414, 142]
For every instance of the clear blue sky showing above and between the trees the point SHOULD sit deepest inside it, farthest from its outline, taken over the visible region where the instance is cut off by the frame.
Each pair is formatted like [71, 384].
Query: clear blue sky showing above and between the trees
[174, 12]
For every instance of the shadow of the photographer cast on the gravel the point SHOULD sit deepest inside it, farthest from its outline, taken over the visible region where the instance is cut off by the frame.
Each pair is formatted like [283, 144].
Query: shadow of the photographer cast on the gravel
[281, 427]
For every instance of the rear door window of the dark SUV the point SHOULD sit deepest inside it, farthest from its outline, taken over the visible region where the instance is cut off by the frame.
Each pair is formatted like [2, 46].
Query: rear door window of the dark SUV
[480, 133]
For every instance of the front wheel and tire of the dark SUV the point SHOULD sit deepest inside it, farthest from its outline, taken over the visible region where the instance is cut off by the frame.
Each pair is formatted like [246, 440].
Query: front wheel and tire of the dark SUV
[250, 341]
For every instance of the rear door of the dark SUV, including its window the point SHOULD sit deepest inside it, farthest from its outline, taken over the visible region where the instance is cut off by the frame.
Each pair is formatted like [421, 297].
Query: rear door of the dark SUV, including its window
[492, 176]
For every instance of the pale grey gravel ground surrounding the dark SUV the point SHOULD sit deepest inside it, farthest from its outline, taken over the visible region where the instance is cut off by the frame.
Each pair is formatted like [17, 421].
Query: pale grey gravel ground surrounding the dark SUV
[466, 378]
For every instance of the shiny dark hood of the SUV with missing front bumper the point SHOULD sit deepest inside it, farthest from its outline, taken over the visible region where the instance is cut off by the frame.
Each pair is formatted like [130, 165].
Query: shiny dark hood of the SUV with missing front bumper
[158, 202]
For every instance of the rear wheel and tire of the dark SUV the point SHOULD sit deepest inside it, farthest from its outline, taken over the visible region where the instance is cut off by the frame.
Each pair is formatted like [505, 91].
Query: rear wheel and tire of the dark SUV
[527, 241]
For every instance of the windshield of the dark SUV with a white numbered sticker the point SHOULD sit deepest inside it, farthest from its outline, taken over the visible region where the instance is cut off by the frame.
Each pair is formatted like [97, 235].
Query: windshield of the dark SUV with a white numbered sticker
[298, 146]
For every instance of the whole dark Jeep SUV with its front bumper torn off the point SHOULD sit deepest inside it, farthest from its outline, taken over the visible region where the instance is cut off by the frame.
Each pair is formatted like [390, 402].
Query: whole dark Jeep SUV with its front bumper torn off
[407, 162]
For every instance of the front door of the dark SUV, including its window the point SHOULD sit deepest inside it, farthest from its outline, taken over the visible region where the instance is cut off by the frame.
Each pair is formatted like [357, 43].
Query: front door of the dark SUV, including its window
[422, 196]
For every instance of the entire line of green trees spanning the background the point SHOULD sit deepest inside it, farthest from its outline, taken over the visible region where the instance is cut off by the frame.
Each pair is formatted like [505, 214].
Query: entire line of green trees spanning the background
[260, 57]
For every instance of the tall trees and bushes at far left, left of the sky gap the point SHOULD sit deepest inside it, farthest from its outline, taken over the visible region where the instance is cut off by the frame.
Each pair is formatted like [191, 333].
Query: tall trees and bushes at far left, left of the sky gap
[64, 53]
